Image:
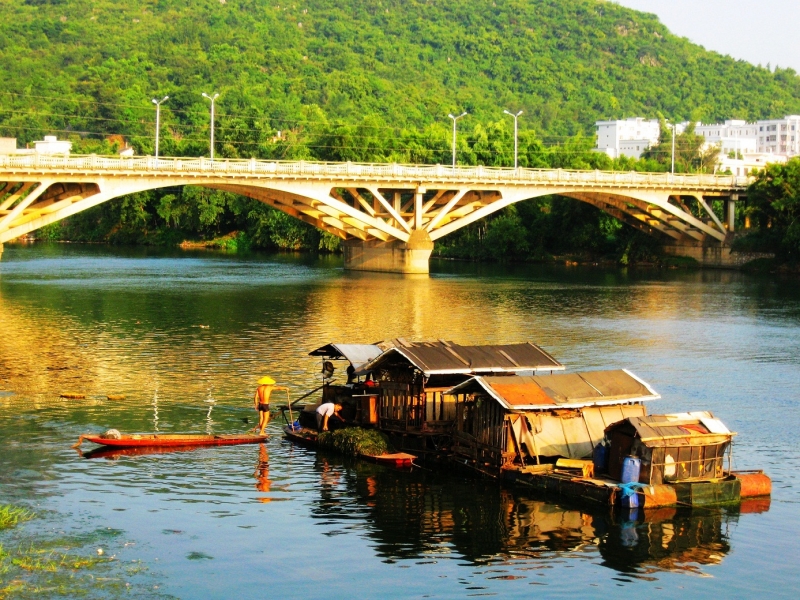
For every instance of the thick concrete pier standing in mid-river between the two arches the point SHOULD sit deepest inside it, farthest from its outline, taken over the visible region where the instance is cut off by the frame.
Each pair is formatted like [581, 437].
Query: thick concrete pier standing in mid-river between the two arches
[391, 256]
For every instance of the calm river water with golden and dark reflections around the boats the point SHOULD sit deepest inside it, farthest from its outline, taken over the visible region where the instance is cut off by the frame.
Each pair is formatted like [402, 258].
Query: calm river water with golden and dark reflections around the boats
[184, 337]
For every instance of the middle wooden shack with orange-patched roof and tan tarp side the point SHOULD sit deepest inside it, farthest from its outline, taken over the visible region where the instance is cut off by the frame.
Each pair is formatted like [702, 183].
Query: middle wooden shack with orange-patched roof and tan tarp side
[507, 423]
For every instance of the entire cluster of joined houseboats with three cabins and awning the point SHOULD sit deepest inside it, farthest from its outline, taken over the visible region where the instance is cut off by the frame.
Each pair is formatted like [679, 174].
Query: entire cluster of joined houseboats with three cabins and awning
[506, 412]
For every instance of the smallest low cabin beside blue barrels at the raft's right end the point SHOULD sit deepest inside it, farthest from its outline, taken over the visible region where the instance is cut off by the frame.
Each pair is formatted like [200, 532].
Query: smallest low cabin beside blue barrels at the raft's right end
[671, 448]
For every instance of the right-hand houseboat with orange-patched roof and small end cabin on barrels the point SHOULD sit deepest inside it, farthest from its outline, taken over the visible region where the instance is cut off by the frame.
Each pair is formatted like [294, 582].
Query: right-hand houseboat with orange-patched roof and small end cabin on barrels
[587, 436]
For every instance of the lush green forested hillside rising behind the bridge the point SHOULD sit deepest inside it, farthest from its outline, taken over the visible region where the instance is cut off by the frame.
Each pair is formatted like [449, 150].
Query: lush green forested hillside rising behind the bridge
[369, 80]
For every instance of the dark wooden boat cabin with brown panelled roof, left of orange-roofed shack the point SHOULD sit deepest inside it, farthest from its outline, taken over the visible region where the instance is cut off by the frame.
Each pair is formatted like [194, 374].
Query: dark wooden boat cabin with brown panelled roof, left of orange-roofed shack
[413, 377]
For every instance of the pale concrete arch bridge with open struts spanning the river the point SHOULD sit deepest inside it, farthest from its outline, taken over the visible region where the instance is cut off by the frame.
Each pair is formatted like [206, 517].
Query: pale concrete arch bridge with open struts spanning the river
[388, 215]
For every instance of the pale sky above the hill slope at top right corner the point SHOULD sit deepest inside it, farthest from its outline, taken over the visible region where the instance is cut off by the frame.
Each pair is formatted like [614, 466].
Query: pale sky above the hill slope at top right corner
[763, 31]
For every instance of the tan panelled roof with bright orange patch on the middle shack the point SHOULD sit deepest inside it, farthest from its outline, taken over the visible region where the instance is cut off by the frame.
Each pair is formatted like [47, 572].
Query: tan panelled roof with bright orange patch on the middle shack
[573, 390]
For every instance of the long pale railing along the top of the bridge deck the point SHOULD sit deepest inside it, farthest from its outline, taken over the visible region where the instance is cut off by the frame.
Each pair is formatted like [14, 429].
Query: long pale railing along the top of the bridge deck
[90, 164]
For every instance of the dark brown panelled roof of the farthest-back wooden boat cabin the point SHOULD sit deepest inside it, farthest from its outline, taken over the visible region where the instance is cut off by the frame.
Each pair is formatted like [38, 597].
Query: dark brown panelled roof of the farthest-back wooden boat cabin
[442, 358]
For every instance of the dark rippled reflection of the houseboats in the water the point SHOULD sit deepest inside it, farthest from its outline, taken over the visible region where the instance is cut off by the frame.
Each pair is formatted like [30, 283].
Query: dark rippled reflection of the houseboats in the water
[430, 516]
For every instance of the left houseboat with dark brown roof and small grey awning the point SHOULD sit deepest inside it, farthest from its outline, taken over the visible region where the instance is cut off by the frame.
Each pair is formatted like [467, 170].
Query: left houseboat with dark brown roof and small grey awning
[399, 386]
